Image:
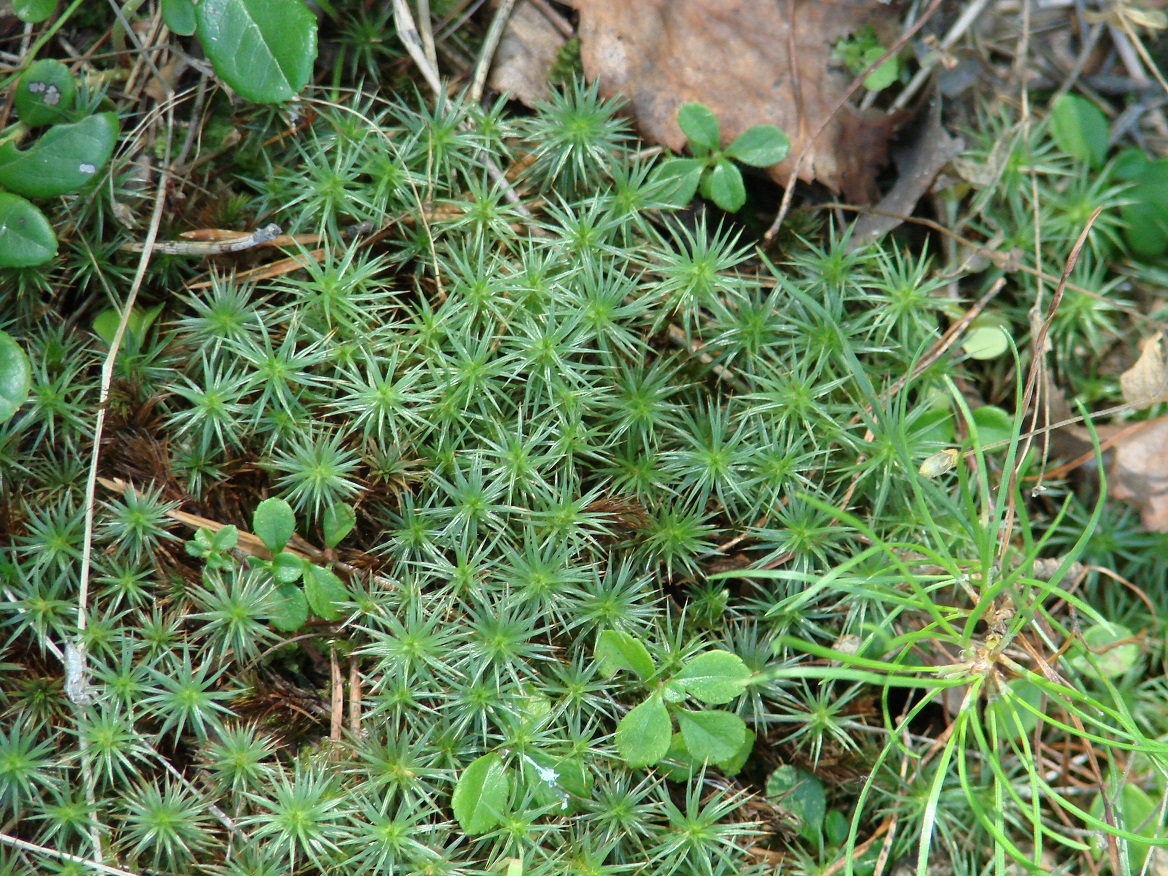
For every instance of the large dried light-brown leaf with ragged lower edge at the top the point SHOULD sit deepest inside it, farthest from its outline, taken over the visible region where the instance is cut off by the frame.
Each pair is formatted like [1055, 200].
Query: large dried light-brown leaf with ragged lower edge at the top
[752, 62]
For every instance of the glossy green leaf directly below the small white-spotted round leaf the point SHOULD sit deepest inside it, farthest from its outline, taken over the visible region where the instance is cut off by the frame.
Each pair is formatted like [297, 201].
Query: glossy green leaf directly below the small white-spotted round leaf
[62, 161]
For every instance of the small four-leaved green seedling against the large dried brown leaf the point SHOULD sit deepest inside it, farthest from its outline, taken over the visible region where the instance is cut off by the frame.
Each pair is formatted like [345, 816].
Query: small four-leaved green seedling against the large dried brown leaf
[712, 169]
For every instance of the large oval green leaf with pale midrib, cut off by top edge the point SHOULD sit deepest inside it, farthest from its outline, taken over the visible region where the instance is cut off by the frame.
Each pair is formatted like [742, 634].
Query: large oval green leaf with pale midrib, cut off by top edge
[265, 50]
